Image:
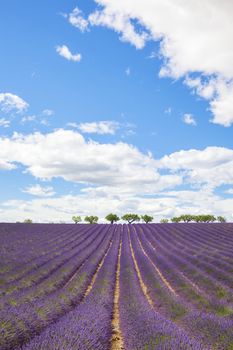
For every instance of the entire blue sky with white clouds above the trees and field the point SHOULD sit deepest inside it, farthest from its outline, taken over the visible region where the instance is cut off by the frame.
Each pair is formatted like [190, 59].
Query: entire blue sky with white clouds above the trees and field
[111, 105]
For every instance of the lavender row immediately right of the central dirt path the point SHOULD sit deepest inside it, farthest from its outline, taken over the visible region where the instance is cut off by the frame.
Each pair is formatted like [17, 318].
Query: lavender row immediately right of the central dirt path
[142, 326]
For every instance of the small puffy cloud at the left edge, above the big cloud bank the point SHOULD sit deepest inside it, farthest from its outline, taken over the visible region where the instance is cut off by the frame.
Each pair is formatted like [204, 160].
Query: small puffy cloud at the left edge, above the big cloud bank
[12, 103]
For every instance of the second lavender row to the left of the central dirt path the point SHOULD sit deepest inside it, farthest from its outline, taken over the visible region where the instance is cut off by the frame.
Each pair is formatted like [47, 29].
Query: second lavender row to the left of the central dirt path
[28, 319]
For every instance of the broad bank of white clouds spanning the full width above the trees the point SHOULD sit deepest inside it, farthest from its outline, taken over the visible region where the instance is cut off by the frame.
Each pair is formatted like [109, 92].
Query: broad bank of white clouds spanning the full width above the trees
[115, 177]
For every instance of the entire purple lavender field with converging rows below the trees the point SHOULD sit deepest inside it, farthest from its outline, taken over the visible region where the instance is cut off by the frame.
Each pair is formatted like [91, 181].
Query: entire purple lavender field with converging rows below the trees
[133, 287]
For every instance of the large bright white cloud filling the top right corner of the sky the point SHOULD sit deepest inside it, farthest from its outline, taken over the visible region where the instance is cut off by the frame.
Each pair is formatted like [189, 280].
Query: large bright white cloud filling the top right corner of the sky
[194, 37]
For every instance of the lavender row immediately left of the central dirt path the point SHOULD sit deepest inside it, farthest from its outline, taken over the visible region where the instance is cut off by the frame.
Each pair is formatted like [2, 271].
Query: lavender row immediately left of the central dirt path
[88, 326]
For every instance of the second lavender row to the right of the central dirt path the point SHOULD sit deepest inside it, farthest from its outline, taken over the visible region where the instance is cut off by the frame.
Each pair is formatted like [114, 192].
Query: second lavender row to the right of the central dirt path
[215, 332]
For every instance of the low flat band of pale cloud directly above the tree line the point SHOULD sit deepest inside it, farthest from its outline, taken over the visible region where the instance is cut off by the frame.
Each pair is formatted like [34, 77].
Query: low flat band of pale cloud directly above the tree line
[64, 207]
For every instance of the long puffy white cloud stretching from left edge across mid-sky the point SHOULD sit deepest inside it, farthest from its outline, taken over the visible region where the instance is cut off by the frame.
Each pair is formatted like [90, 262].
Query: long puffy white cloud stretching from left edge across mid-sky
[66, 154]
